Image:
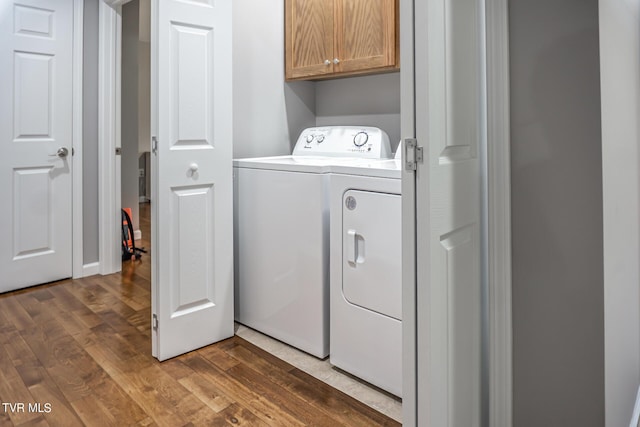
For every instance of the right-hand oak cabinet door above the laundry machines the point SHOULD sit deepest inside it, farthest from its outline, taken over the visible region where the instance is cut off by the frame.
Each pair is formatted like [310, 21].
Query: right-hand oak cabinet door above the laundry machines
[365, 36]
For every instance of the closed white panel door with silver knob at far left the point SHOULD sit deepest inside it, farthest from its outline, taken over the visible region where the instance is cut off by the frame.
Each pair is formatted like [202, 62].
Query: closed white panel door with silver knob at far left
[35, 124]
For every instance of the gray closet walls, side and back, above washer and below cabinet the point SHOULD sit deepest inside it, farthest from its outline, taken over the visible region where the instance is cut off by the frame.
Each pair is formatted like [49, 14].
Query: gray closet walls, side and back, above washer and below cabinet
[269, 114]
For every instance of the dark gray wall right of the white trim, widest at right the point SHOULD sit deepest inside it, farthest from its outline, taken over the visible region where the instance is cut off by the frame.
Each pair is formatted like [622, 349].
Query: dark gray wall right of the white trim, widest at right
[558, 326]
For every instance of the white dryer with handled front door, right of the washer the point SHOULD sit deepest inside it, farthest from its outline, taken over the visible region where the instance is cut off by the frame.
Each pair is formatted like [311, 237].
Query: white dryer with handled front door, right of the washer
[366, 272]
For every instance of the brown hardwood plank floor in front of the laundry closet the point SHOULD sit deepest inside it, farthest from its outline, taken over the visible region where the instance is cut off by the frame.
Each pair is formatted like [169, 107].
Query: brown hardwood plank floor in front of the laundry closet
[81, 349]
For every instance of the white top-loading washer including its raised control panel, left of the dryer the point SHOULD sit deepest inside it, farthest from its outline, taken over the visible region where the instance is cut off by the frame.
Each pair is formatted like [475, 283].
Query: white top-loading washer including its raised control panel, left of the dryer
[281, 234]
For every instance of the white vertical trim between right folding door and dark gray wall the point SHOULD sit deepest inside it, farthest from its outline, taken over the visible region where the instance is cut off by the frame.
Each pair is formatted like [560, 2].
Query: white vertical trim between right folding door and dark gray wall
[499, 214]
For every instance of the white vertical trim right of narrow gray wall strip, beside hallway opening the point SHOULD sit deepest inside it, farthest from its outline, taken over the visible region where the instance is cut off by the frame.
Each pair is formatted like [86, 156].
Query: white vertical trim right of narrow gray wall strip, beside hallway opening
[108, 134]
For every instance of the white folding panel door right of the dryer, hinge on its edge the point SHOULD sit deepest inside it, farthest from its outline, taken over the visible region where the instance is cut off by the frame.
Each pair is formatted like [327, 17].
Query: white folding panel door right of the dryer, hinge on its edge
[450, 125]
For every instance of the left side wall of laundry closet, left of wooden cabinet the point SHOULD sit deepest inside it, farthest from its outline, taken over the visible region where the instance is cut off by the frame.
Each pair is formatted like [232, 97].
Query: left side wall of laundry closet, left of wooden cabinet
[267, 112]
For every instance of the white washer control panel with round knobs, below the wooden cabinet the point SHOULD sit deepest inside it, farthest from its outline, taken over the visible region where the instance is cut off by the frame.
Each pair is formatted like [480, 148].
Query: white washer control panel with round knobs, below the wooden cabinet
[344, 141]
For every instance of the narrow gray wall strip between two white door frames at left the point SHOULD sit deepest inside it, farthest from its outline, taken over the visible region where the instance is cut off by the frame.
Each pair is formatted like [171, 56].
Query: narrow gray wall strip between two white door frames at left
[90, 132]
